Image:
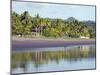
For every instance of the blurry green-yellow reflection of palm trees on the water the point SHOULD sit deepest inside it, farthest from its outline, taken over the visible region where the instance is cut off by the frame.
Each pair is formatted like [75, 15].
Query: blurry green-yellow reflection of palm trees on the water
[43, 57]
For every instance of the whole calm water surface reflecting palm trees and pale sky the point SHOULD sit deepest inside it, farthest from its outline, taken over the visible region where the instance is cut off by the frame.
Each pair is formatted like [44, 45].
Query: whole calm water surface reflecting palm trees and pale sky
[53, 59]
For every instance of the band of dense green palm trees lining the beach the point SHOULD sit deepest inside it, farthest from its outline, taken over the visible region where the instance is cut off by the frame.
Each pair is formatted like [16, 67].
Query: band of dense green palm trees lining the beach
[26, 25]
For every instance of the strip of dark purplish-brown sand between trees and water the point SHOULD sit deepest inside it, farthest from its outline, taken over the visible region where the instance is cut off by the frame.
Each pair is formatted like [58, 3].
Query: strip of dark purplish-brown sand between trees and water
[22, 44]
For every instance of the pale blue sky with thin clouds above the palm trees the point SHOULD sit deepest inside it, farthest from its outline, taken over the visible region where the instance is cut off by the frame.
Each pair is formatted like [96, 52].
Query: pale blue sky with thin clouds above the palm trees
[47, 10]
